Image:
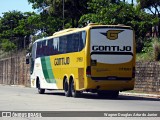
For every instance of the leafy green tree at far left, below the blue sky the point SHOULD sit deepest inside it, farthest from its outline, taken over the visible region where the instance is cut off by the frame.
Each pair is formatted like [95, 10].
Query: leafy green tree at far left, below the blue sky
[15, 27]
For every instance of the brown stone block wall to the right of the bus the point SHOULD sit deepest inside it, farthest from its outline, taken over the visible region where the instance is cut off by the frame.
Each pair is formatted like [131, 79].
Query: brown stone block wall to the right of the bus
[148, 77]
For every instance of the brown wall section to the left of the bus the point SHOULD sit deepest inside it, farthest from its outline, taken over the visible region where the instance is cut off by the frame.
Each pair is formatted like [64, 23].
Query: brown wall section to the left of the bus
[14, 71]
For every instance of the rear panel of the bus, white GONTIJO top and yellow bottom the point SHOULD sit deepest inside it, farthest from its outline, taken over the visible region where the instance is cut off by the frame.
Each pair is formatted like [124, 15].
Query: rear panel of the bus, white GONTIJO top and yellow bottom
[111, 51]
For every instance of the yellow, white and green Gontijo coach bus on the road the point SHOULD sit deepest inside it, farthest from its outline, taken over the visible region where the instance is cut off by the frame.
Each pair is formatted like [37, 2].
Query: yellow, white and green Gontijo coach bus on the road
[96, 58]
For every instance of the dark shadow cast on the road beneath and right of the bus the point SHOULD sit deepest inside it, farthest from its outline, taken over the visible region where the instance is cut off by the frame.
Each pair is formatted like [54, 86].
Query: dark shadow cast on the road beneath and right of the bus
[95, 96]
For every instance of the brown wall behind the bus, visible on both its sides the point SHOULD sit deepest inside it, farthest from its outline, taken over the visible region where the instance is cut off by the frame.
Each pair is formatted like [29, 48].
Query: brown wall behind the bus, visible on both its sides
[14, 71]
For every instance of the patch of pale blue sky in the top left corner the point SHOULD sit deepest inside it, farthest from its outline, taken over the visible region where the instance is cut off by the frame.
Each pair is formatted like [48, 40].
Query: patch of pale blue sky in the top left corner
[19, 5]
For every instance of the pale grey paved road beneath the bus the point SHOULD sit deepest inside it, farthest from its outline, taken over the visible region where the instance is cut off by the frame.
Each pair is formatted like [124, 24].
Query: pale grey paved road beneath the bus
[18, 98]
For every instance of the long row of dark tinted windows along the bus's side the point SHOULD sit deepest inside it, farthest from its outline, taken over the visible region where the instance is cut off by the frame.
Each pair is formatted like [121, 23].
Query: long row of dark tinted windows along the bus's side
[60, 45]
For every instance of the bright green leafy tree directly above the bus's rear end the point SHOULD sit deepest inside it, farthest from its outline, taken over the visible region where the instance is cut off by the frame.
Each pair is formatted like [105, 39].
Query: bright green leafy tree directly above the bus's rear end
[122, 13]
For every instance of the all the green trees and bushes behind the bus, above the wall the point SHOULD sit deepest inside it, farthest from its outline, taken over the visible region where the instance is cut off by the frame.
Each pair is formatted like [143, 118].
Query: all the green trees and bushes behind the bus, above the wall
[18, 30]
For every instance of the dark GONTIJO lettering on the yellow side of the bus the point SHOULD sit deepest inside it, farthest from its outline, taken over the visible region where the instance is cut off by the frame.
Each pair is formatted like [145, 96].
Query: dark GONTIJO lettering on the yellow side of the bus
[62, 61]
